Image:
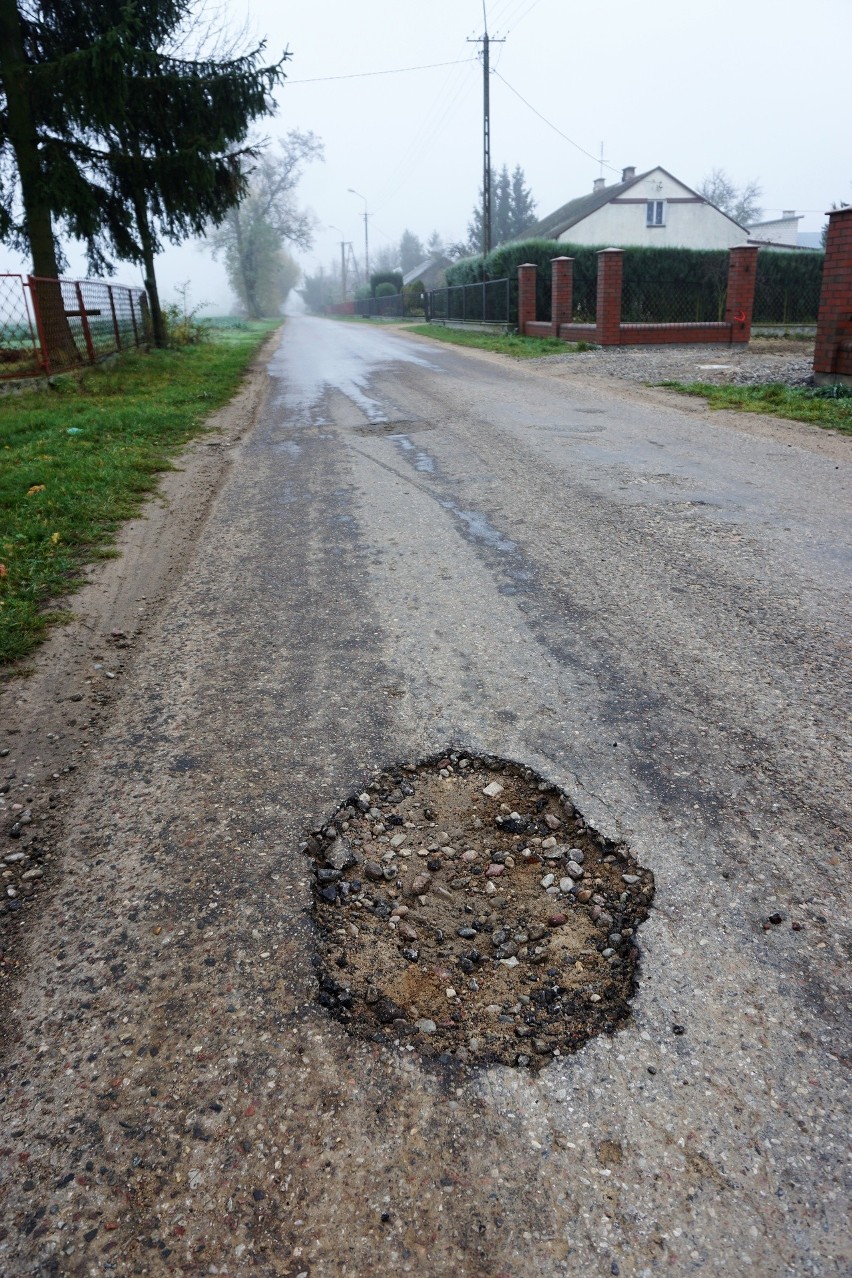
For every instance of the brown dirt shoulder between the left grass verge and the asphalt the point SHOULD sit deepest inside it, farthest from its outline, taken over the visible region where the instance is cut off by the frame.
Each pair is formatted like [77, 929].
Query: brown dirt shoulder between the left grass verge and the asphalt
[52, 719]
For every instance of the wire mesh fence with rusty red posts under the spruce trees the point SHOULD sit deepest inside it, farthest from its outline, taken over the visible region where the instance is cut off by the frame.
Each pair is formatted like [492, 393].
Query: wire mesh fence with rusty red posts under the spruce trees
[50, 325]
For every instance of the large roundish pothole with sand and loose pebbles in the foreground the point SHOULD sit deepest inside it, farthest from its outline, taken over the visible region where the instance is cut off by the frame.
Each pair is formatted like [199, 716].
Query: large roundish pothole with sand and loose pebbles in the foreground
[466, 909]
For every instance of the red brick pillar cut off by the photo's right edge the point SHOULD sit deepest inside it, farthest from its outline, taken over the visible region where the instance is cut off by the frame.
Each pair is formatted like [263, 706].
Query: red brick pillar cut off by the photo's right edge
[833, 352]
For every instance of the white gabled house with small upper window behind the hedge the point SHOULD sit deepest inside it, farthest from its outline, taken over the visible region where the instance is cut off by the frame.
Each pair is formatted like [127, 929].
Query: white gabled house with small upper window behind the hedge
[653, 210]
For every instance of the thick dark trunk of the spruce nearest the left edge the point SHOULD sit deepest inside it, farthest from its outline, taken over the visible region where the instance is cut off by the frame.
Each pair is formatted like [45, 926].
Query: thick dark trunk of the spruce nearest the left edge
[22, 134]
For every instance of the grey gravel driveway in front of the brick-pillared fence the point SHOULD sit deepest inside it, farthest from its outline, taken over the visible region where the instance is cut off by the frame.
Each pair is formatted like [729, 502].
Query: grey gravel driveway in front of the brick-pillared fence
[715, 365]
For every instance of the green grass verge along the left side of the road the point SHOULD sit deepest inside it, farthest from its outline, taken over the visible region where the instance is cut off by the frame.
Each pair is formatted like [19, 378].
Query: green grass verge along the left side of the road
[80, 458]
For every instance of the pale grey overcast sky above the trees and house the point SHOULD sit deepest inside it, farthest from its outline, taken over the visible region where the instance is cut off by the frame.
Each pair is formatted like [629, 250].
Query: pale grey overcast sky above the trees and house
[761, 90]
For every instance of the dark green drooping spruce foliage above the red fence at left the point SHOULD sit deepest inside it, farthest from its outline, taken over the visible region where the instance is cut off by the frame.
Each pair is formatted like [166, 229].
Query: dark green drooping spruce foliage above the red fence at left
[113, 136]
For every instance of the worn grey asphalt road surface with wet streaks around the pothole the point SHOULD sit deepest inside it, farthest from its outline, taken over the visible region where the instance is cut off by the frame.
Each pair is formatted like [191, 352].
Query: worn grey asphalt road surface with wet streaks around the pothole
[418, 550]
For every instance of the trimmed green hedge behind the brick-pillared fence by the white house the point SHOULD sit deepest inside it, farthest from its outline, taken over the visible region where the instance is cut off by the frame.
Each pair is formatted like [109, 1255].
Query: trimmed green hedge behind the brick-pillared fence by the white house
[661, 284]
